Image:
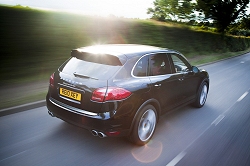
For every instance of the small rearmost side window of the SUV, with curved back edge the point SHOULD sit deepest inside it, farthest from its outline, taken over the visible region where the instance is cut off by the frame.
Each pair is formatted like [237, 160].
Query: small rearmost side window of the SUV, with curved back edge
[141, 67]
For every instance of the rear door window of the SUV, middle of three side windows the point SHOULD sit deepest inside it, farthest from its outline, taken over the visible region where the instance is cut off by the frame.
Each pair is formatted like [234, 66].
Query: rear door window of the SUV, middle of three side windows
[159, 64]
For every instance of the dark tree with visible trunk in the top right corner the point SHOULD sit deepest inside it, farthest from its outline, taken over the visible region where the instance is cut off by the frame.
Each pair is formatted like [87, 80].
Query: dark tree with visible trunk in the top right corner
[222, 12]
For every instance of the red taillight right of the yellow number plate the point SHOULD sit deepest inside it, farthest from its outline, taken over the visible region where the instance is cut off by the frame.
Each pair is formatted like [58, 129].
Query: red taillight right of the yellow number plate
[112, 93]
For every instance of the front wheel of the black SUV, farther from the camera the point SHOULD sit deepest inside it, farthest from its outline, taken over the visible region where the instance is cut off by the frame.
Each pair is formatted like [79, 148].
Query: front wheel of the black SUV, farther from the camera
[201, 96]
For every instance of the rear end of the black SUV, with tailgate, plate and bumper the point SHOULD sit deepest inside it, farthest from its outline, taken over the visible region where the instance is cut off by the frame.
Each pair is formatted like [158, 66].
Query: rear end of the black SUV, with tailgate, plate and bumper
[82, 91]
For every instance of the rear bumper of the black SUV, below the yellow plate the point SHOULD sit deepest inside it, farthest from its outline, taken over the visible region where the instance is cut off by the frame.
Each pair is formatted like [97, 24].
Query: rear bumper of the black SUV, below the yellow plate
[88, 120]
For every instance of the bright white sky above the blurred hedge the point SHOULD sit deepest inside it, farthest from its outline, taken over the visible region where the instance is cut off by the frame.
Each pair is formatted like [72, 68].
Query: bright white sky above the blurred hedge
[120, 8]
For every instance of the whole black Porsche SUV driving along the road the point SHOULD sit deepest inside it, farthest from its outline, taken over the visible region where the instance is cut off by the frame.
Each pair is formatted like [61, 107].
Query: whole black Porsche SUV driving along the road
[121, 90]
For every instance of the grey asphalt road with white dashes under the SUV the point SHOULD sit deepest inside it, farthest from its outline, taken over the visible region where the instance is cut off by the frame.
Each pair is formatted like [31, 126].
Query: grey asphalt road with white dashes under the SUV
[217, 134]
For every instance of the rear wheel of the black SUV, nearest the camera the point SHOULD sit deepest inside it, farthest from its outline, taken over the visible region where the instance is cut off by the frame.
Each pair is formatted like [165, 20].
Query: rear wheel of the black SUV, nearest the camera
[144, 126]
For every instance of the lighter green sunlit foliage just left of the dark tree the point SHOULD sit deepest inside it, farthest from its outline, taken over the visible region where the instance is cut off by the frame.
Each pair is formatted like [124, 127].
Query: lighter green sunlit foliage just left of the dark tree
[172, 10]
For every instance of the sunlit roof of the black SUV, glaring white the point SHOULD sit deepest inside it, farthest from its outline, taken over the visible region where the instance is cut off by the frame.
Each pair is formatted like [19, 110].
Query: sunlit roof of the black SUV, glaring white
[129, 50]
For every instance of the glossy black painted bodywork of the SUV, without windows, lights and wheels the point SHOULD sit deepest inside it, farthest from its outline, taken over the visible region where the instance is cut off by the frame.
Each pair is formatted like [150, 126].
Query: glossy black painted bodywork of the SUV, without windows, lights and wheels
[164, 92]
